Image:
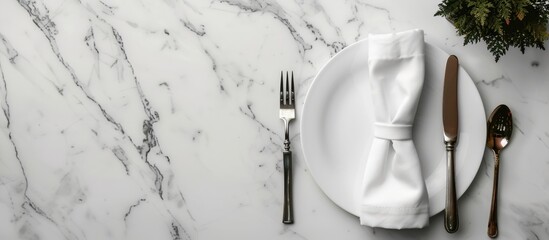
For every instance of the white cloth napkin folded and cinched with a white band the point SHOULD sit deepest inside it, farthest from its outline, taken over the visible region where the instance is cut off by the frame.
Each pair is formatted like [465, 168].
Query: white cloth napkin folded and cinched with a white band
[393, 192]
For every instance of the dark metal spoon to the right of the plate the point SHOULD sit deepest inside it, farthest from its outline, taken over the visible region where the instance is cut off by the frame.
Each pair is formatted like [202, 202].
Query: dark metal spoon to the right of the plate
[500, 127]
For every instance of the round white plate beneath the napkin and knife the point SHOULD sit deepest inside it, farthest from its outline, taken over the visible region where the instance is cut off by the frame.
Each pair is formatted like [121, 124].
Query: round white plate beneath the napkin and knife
[336, 127]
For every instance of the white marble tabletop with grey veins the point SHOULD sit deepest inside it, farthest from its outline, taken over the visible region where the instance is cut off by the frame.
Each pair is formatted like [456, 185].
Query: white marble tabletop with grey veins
[158, 119]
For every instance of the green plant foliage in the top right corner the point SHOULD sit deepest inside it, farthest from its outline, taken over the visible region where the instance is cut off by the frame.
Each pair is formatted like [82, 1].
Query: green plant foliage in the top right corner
[499, 23]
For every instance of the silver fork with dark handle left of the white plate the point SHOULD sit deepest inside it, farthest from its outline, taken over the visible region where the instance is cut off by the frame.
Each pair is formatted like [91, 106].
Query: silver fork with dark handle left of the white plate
[287, 113]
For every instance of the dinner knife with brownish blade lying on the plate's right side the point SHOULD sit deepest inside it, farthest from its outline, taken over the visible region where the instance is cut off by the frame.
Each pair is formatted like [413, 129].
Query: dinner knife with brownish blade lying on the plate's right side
[450, 125]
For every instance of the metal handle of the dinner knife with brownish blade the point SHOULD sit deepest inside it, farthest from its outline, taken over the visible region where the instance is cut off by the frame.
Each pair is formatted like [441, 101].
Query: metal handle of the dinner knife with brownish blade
[451, 219]
